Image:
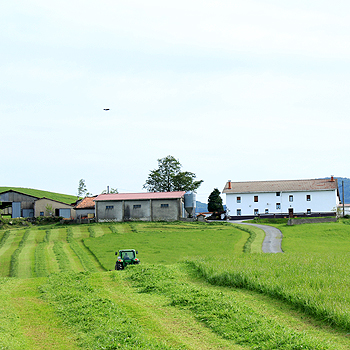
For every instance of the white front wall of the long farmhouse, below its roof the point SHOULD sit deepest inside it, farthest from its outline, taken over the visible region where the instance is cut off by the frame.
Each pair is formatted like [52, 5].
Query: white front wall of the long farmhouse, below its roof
[321, 201]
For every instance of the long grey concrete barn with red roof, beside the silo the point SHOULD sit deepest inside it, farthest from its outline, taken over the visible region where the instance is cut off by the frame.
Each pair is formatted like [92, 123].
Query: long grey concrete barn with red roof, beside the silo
[150, 206]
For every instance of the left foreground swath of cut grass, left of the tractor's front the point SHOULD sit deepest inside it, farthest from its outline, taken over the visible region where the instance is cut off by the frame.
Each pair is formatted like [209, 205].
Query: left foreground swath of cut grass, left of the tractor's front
[98, 322]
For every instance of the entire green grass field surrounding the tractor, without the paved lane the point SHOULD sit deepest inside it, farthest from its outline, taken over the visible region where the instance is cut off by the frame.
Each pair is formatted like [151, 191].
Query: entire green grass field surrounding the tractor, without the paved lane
[199, 286]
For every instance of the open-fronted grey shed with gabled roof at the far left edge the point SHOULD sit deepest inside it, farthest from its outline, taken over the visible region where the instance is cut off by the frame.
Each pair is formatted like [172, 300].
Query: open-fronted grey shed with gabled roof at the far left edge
[17, 204]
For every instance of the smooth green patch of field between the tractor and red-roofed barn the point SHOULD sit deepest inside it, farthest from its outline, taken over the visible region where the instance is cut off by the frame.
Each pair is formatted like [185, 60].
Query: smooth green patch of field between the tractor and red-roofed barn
[167, 243]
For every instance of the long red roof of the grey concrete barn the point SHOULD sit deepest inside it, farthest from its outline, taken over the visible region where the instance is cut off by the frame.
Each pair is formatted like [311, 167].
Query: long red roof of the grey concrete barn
[139, 196]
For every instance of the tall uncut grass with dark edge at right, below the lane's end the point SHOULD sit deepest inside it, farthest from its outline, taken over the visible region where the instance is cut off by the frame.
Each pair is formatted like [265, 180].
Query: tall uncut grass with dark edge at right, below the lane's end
[317, 284]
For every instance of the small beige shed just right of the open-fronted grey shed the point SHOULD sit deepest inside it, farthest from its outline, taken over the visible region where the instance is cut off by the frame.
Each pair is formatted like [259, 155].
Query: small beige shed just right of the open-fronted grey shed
[49, 207]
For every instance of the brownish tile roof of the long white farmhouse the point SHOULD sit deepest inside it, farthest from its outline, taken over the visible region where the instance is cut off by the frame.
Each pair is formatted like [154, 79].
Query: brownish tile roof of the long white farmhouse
[281, 186]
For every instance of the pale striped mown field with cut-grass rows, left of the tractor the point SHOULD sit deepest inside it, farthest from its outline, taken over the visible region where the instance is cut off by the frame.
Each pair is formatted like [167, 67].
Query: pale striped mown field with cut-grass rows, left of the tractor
[38, 252]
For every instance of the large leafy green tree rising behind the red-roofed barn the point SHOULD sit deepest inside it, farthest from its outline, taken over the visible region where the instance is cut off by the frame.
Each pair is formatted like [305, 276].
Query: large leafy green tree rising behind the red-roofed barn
[168, 177]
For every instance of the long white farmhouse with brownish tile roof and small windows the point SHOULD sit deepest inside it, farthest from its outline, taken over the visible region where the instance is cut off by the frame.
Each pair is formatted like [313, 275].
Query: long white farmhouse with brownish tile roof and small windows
[282, 198]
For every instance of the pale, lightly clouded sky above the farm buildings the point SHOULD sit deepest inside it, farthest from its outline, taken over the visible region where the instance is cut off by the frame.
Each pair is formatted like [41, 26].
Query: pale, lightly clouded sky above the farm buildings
[235, 90]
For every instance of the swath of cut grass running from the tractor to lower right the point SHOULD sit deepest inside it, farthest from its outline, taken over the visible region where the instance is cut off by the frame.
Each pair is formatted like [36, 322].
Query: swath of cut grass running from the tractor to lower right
[219, 312]
